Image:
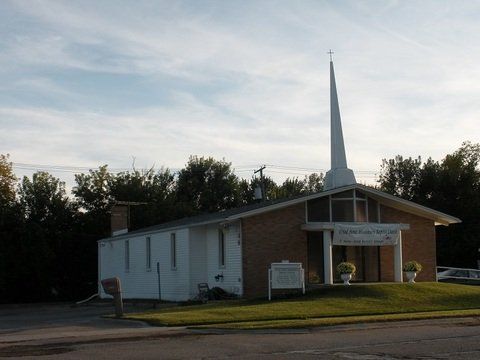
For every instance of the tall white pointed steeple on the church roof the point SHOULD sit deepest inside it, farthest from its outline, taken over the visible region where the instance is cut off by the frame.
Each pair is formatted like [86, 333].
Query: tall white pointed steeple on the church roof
[339, 174]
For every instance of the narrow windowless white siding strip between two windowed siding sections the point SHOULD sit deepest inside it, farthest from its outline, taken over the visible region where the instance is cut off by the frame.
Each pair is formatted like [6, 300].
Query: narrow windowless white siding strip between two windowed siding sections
[198, 258]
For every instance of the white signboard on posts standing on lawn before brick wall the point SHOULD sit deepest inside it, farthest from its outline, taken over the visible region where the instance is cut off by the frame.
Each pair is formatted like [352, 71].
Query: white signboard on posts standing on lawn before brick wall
[285, 275]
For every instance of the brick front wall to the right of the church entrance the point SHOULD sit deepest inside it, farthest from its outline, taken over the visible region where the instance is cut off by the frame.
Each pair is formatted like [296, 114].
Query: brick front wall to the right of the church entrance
[418, 244]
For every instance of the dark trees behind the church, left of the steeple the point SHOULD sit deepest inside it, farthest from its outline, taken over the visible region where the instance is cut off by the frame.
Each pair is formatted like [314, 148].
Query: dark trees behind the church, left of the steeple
[48, 248]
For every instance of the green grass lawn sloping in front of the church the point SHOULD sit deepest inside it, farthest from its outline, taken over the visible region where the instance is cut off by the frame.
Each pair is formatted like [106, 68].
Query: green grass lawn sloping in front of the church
[327, 306]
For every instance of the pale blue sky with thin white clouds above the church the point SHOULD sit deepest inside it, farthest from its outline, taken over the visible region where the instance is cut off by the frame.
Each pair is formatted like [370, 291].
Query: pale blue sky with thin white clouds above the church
[149, 83]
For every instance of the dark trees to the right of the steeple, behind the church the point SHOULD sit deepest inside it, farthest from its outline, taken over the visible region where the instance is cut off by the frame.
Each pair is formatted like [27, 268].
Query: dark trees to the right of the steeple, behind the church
[451, 186]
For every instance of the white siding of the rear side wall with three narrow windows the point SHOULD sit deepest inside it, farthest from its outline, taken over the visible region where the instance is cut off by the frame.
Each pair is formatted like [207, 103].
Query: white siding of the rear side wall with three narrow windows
[138, 283]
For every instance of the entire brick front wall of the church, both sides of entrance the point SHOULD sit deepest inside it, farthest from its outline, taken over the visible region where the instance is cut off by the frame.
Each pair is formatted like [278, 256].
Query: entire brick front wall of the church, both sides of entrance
[276, 235]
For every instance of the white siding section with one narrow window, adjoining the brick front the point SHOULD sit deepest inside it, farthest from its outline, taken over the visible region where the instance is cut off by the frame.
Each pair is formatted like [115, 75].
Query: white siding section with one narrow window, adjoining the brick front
[232, 271]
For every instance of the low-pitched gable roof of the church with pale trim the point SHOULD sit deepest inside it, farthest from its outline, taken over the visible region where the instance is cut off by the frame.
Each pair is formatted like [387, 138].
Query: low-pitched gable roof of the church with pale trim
[259, 208]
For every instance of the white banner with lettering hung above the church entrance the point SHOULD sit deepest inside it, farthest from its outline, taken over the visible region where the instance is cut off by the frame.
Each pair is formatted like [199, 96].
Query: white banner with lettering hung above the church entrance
[366, 234]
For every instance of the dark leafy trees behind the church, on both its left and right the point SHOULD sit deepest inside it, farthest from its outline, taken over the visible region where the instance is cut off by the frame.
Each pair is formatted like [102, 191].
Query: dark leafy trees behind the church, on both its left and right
[48, 238]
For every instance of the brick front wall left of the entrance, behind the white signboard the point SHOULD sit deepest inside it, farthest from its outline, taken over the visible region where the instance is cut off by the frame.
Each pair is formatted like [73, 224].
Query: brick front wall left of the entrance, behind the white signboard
[271, 237]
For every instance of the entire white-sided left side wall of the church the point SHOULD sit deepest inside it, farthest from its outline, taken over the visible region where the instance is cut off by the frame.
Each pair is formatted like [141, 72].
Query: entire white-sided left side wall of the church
[197, 261]
